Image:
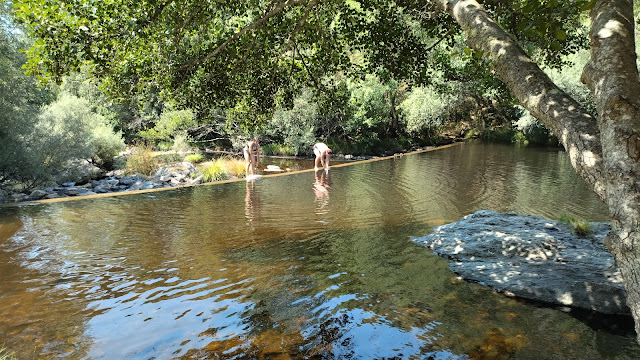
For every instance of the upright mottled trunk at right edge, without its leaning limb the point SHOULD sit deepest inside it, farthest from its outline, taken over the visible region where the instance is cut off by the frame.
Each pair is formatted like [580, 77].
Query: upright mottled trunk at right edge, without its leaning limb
[612, 76]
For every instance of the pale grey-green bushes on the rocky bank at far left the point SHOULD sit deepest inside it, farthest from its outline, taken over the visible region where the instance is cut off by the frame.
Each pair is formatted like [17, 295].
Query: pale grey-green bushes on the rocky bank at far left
[43, 130]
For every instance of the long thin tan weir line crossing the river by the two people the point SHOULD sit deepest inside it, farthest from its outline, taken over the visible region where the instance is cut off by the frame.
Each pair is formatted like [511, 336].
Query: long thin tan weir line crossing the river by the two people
[135, 192]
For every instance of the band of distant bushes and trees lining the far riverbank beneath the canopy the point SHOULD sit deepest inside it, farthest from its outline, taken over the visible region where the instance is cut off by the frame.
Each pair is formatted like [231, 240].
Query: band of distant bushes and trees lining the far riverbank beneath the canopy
[44, 130]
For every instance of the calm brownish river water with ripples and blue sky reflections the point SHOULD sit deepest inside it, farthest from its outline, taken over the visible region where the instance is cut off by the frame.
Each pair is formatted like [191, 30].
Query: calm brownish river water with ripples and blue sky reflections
[296, 266]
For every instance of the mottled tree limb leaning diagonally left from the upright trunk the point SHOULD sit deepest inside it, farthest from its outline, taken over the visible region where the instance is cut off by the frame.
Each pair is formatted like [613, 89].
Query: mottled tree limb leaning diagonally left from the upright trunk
[574, 126]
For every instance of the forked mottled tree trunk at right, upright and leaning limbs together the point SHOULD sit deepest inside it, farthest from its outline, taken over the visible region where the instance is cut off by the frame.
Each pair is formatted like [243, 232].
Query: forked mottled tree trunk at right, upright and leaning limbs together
[605, 153]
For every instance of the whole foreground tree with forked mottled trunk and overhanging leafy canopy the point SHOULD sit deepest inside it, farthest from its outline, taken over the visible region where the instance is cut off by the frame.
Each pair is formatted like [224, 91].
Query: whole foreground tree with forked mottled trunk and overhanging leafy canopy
[250, 53]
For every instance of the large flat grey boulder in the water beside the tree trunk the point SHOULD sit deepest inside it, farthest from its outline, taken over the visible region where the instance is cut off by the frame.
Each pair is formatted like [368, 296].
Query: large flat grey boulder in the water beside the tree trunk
[533, 258]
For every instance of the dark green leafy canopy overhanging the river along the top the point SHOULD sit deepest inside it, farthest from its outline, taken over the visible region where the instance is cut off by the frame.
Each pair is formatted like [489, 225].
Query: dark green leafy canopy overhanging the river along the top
[254, 54]
